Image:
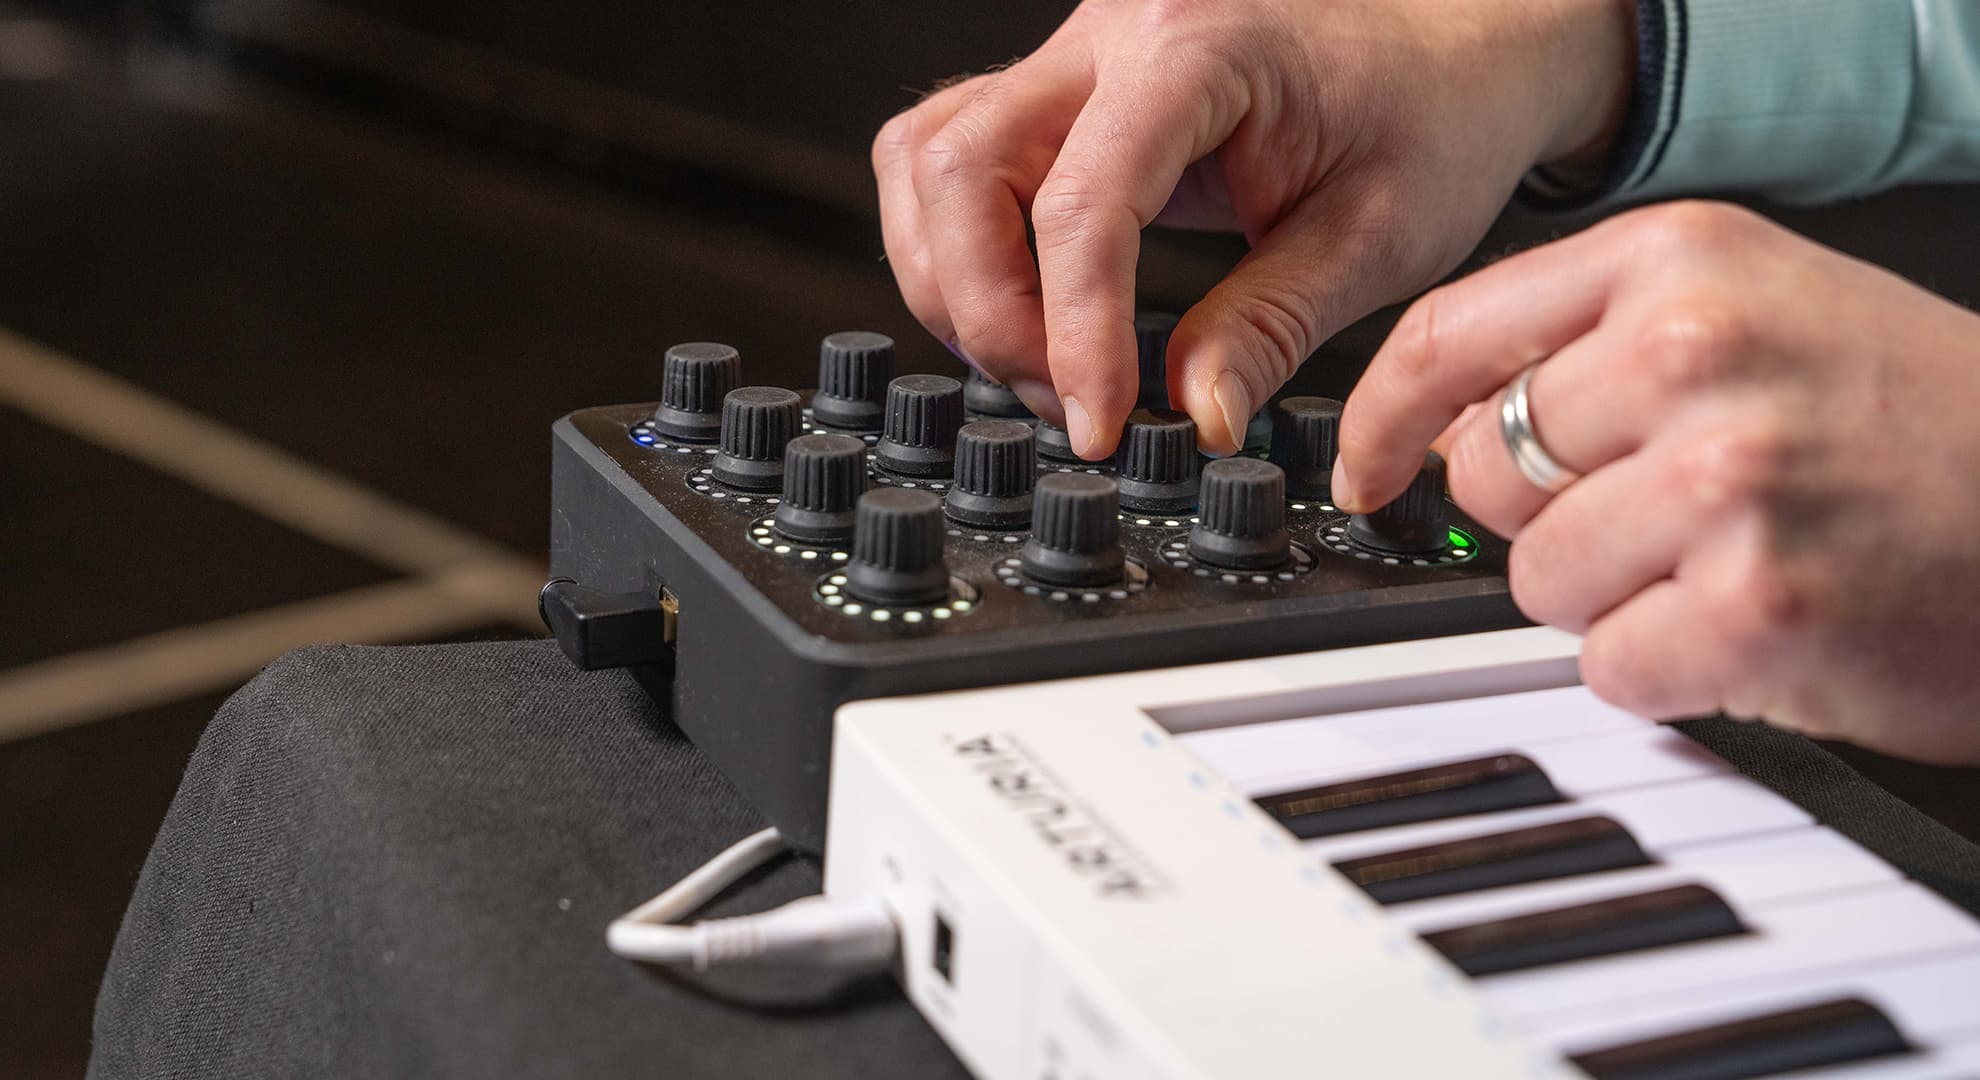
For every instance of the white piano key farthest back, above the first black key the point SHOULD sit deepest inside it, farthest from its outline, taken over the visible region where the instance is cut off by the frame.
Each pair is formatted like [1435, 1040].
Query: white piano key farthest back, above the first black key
[1286, 752]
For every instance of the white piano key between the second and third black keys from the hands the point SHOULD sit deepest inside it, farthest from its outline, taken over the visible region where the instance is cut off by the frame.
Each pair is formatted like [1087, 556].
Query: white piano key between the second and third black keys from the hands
[1749, 875]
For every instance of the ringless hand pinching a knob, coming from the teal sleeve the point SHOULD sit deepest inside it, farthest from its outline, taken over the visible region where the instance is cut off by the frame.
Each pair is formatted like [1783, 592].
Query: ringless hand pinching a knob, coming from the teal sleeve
[1361, 148]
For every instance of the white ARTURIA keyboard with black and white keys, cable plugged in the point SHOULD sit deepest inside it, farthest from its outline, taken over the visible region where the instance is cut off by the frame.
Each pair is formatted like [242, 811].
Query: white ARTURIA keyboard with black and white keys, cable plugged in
[1423, 859]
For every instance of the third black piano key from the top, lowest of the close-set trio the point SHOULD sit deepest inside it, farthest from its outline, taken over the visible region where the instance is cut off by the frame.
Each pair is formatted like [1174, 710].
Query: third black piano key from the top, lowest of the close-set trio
[1670, 917]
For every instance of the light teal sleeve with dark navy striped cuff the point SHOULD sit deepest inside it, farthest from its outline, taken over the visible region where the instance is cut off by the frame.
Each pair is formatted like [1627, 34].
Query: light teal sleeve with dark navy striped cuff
[1799, 100]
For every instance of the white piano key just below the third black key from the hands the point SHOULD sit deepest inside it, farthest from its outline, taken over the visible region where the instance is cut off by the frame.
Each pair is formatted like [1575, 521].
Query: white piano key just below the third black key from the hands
[1834, 932]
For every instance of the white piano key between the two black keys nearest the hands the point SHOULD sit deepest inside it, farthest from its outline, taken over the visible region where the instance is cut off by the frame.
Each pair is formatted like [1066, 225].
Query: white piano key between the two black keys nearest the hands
[1660, 817]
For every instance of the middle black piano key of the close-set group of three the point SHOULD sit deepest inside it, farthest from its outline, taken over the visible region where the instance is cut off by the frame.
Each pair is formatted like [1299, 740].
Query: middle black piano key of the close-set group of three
[1504, 859]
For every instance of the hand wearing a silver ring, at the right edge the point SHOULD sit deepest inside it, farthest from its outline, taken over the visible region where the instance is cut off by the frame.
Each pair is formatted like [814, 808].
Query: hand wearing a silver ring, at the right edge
[1781, 451]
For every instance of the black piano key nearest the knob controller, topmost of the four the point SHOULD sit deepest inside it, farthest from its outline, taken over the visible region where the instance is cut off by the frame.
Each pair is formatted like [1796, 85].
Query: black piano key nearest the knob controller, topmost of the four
[1502, 782]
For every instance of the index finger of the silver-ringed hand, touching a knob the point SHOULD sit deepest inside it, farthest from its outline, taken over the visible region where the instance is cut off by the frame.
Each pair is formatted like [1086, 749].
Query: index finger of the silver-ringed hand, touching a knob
[1458, 346]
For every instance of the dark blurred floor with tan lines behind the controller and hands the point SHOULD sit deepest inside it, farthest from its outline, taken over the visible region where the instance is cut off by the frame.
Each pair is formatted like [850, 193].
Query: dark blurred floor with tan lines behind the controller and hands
[290, 294]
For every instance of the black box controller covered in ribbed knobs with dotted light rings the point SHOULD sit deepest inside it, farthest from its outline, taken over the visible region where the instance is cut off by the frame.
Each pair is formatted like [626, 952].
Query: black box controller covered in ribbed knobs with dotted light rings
[759, 556]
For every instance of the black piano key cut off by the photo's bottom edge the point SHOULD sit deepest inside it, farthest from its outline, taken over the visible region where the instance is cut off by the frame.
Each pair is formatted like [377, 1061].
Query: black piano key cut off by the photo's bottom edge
[1819, 1035]
